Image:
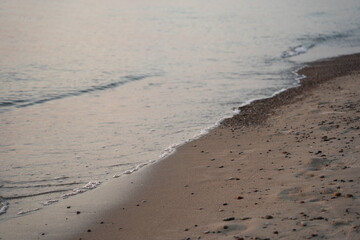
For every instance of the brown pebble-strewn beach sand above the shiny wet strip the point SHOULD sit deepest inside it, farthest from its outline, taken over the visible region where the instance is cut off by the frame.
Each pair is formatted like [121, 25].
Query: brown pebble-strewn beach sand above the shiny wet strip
[284, 169]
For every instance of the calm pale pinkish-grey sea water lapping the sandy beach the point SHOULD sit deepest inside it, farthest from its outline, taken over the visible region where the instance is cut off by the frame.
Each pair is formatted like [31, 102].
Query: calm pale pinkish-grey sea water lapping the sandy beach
[92, 90]
